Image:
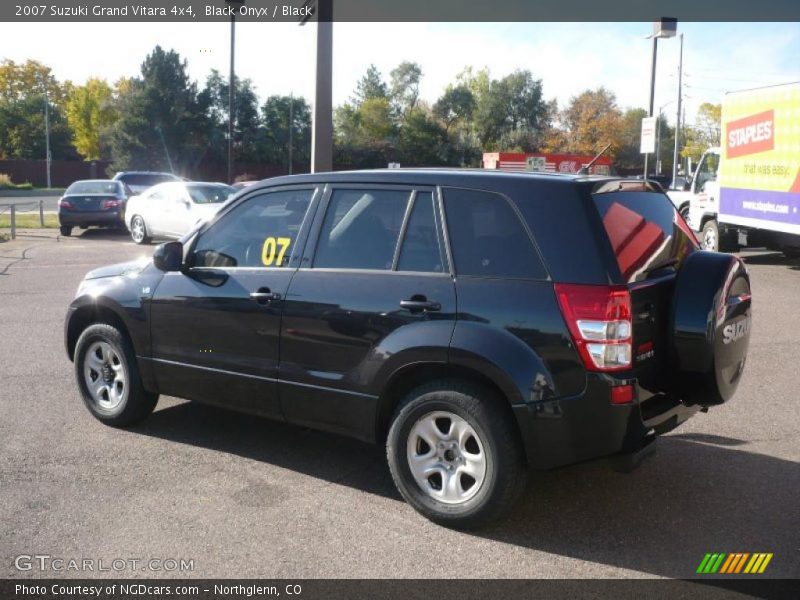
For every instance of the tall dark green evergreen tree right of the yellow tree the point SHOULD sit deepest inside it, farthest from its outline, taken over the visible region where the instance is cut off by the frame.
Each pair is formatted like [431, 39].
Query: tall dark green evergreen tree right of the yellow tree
[162, 118]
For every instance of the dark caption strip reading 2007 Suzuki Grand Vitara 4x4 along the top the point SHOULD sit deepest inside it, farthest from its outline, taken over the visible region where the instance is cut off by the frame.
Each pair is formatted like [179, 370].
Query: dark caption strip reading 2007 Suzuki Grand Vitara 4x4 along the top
[644, 11]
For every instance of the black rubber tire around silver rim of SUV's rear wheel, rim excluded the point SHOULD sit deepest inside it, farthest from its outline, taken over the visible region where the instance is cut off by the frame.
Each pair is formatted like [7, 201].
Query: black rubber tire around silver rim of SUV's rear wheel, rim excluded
[505, 465]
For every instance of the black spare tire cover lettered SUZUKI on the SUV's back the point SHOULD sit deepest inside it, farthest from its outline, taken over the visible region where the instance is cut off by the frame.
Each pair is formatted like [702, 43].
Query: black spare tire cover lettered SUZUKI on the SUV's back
[711, 318]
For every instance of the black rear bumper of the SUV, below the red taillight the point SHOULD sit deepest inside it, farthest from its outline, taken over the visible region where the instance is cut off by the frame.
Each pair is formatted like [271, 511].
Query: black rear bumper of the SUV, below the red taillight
[579, 428]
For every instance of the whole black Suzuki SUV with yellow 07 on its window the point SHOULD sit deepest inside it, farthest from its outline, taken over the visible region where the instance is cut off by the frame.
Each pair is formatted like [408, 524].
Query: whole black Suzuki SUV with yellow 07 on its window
[477, 323]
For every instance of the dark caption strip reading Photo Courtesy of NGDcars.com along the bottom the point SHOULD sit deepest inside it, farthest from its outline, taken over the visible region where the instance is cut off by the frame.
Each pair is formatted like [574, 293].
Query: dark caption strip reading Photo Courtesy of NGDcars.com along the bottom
[400, 589]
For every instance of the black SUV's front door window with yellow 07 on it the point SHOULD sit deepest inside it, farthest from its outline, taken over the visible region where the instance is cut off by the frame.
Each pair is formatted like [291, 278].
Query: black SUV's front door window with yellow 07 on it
[260, 232]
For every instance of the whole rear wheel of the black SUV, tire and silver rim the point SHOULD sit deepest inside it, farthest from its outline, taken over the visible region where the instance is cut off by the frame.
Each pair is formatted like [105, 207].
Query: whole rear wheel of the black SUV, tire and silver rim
[455, 455]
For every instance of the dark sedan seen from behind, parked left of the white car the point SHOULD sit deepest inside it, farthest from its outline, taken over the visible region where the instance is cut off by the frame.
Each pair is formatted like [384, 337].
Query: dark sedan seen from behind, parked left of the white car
[92, 202]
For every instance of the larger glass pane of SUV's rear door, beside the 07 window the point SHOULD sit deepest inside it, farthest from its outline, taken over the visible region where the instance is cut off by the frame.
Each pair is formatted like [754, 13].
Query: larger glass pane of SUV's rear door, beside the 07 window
[361, 229]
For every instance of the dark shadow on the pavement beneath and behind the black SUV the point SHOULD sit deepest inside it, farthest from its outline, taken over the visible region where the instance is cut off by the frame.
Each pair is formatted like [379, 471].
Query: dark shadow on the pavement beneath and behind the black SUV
[697, 494]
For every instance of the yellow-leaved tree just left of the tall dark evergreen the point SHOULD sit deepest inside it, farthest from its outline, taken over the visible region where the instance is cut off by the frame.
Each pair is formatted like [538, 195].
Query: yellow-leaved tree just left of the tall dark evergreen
[90, 112]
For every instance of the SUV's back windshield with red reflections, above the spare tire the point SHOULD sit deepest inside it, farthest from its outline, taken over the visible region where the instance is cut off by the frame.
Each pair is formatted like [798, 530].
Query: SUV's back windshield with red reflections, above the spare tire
[645, 231]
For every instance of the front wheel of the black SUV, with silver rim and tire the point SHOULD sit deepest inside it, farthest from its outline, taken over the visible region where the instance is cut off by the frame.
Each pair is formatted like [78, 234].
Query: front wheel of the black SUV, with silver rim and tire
[108, 377]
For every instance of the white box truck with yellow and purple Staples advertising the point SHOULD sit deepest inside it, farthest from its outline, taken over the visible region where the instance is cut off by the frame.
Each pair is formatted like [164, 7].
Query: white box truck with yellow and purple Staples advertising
[747, 192]
